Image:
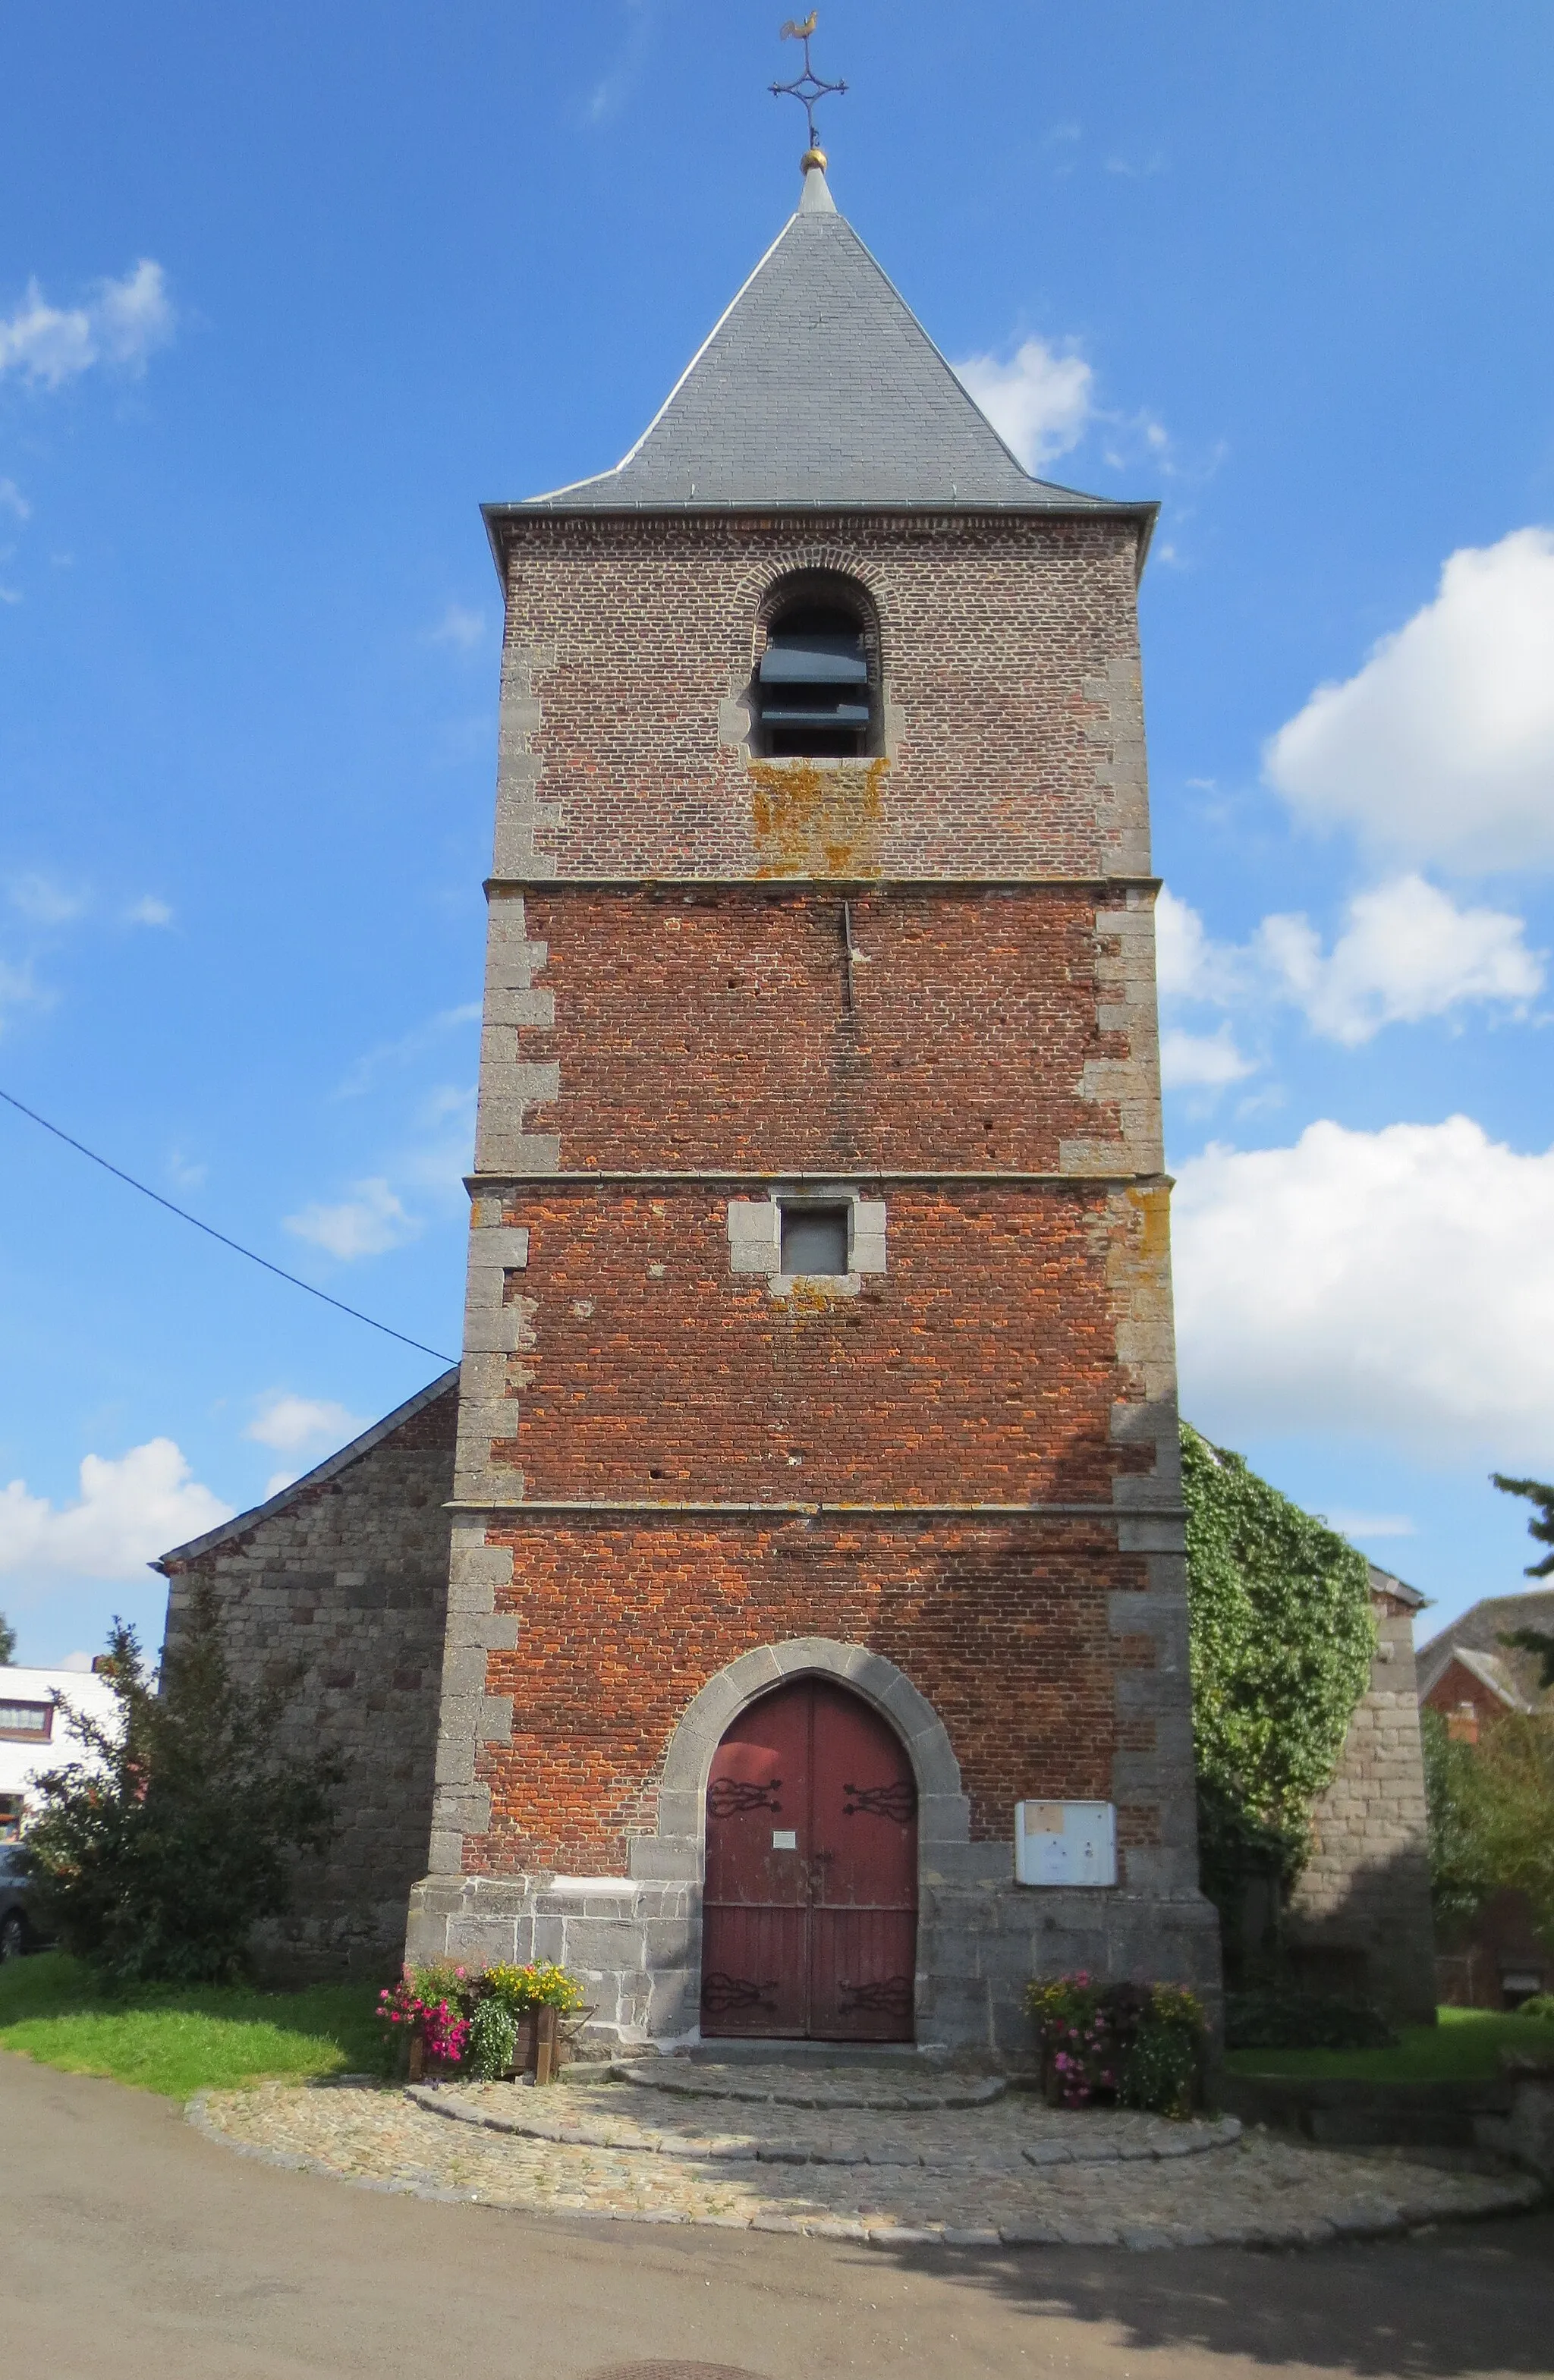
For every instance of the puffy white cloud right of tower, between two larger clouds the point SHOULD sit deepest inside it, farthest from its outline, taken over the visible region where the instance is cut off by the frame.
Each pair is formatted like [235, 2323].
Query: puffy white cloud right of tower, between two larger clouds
[1405, 953]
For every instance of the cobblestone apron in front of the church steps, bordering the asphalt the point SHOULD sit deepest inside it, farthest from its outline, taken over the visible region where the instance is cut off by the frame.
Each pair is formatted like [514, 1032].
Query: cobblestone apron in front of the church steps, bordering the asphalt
[1260, 2191]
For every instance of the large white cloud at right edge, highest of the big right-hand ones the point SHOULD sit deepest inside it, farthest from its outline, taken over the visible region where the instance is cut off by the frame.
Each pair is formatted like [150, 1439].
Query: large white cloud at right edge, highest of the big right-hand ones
[1443, 744]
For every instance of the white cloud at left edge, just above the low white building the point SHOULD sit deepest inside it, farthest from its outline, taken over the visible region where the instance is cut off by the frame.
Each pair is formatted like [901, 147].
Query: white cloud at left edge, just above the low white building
[130, 1510]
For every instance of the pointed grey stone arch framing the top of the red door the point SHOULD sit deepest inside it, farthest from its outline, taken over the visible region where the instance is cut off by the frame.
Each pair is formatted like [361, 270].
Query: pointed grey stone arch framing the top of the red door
[677, 1846]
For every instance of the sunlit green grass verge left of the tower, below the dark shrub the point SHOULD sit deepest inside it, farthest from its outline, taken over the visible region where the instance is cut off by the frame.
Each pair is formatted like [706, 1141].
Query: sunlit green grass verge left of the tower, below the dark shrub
[182, 2041]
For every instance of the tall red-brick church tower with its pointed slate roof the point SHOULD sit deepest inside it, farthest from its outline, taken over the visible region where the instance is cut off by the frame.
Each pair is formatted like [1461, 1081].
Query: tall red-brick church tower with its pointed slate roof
[817, 1643]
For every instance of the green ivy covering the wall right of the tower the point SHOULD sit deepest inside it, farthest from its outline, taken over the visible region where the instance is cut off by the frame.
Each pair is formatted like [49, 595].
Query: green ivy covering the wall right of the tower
[1282, 1653]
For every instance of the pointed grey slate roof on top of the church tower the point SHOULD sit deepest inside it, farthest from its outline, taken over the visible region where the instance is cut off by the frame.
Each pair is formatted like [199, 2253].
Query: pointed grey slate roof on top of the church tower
[820, 389]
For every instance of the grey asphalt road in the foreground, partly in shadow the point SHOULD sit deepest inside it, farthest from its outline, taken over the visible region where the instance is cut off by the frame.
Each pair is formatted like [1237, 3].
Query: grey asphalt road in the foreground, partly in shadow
[137, 2250]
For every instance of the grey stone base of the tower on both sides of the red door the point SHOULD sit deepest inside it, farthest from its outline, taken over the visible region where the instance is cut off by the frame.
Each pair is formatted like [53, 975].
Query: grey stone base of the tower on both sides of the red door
[639, 1946]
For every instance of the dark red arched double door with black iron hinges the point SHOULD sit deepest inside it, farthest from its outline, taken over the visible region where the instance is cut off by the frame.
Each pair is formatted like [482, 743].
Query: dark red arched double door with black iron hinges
[810, 1908]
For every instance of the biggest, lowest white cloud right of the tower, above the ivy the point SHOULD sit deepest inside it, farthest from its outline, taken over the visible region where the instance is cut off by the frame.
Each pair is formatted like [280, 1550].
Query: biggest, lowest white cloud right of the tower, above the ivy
[1391, 1284]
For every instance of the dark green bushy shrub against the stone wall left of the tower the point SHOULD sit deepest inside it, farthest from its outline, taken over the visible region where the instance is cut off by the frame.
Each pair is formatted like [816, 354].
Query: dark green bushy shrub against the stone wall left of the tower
[163, 1848]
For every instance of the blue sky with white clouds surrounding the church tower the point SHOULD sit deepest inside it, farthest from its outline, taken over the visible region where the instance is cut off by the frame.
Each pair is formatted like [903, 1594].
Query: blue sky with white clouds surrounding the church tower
[284, 294]
